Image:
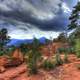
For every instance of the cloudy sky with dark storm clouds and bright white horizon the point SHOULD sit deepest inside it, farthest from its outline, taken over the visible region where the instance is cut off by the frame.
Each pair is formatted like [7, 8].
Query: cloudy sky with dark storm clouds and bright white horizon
[26, 19]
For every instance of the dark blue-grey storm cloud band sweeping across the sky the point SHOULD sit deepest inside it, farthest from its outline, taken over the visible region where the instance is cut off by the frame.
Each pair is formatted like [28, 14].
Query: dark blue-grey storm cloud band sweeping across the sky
[57, 23]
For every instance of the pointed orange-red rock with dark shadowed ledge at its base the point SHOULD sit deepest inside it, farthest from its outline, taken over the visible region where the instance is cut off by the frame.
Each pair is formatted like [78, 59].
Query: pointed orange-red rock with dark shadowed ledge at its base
[17, 59]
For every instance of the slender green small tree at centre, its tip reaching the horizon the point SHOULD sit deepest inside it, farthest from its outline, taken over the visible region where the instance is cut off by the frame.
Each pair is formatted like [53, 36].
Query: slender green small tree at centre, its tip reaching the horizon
[34, 57]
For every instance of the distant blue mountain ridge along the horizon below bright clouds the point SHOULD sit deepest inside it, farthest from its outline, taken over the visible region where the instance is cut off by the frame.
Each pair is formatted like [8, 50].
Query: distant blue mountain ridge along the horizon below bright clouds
[17, 42]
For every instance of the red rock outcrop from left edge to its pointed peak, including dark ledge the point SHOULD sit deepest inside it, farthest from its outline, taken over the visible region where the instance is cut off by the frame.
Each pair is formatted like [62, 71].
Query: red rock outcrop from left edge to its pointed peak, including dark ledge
[17, 59]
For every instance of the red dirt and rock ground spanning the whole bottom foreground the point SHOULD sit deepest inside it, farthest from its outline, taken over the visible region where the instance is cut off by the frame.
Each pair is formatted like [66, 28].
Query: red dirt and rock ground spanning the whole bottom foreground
[68, 71]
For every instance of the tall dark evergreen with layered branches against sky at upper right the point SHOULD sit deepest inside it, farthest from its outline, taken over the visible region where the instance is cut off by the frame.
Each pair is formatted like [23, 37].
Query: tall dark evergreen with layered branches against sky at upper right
[75, 17]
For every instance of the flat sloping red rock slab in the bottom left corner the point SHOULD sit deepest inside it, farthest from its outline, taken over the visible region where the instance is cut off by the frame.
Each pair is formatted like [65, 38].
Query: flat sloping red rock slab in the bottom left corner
[13, 72]
